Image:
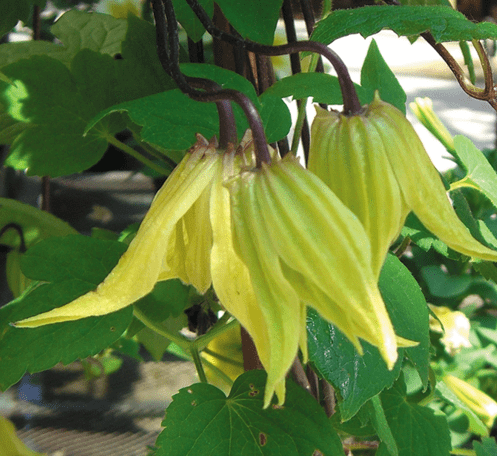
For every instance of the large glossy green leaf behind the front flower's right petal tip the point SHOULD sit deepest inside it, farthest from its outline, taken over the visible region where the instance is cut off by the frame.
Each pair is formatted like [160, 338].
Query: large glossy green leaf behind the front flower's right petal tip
[358, 378]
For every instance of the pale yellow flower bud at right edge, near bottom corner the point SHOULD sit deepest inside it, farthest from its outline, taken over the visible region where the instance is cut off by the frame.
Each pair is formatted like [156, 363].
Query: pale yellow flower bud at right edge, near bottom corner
[479, 402]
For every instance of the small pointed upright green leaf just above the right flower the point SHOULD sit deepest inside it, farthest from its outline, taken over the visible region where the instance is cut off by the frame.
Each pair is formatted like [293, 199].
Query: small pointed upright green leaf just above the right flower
[377, 75]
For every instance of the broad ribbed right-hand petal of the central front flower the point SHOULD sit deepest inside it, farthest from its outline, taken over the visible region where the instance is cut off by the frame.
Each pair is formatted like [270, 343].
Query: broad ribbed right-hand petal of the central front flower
[325, 252]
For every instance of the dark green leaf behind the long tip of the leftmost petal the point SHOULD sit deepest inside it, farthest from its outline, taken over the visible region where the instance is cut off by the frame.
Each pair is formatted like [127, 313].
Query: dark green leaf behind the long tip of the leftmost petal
[73, 265]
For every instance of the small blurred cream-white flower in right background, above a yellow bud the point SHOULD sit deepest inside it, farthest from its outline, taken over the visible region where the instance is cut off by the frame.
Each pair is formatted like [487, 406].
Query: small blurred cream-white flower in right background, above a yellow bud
[455, 328]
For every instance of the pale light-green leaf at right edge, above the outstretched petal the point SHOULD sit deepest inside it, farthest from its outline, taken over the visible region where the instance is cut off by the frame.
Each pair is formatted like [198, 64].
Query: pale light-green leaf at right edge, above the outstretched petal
[480, 174]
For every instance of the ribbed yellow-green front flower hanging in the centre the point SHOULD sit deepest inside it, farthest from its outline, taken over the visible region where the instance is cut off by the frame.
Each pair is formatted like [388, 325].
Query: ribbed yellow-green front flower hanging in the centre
[303, 247]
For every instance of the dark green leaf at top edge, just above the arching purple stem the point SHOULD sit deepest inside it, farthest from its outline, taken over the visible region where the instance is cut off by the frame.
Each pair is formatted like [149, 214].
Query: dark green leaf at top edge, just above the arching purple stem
[253, 19]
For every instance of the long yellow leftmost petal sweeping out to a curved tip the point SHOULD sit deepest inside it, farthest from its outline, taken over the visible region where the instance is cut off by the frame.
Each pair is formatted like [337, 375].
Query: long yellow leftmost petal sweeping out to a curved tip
[138, 269]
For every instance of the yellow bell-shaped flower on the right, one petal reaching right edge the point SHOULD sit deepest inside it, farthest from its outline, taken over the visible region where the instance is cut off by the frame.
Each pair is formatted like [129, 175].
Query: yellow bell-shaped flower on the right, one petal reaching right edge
[378, 167]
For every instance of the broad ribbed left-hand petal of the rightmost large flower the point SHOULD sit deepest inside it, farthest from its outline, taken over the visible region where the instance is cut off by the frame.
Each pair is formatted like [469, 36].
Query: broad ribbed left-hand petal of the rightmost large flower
[349, 155]
